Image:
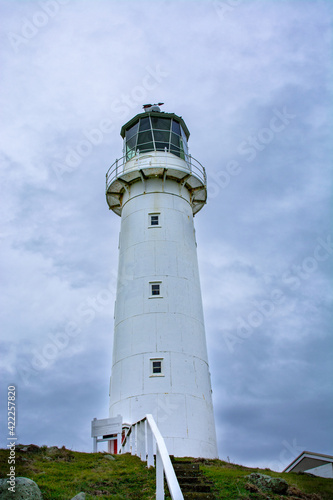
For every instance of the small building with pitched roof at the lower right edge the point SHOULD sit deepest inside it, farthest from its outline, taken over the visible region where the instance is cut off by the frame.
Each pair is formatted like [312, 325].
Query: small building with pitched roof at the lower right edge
[313, 463]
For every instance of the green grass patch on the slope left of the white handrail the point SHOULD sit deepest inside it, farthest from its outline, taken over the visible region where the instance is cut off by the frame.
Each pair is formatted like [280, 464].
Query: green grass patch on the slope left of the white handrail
[62, 474]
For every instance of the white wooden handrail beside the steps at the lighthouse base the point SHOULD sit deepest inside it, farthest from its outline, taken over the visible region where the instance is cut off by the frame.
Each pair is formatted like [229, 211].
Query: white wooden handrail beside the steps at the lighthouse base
[141, 440]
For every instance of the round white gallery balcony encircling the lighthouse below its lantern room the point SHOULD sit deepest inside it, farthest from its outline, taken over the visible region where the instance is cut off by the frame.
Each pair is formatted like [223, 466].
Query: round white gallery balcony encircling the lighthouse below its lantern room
[187, 172]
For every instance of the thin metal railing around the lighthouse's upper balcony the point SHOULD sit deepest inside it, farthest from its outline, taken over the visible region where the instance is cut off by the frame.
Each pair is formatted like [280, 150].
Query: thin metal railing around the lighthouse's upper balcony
[118, 167]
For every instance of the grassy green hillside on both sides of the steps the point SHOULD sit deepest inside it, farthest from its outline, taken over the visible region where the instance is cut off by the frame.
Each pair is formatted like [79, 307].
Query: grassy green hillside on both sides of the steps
[61, 474]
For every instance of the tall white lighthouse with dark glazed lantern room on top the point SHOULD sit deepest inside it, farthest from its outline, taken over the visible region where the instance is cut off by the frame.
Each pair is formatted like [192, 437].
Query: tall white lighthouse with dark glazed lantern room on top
[160, 364]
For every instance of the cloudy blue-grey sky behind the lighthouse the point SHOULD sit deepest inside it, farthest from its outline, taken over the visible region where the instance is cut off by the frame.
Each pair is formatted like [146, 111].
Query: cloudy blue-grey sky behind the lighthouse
[252, 80]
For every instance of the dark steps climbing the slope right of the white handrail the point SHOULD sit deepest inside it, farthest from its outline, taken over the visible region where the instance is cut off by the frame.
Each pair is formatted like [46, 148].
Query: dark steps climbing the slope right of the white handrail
[193, 483]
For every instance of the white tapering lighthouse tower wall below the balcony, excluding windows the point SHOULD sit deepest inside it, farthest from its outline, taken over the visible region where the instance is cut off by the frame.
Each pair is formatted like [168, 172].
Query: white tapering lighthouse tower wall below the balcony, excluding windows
[169, 327]
